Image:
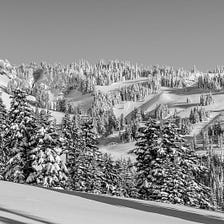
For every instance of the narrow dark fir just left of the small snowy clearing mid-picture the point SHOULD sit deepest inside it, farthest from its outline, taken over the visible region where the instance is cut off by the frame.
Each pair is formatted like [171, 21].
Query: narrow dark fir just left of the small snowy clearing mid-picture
[86, 173]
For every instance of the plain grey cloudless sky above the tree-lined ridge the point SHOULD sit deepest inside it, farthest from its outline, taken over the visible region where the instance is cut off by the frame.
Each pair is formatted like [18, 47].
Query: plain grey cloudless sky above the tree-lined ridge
[180, 33]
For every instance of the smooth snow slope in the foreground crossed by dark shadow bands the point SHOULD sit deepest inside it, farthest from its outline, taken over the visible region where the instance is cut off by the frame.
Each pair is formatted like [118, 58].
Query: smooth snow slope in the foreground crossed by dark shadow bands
[24, 204]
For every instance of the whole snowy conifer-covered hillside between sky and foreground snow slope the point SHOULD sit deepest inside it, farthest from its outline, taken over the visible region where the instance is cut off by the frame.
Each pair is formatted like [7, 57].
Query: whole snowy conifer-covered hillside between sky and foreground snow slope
[115, 128]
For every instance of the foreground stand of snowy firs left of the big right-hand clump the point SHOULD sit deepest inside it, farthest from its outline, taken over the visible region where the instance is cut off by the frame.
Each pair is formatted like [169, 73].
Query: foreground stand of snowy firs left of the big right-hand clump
[33, 150]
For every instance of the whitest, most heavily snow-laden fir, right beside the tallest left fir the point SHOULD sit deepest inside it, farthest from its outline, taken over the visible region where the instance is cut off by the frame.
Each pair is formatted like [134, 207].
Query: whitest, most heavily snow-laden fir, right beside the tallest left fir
[48, 169]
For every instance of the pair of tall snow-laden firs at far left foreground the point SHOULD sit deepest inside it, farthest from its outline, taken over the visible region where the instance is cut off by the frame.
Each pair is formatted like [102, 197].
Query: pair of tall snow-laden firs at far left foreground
[31, 147]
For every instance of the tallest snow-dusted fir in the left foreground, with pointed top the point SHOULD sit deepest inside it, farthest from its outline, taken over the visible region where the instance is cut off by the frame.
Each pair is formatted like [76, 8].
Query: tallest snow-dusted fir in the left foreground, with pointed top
[19, 138]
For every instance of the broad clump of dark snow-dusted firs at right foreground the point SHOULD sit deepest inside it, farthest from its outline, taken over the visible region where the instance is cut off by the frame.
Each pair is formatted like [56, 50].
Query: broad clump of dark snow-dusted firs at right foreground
[168, 170]
